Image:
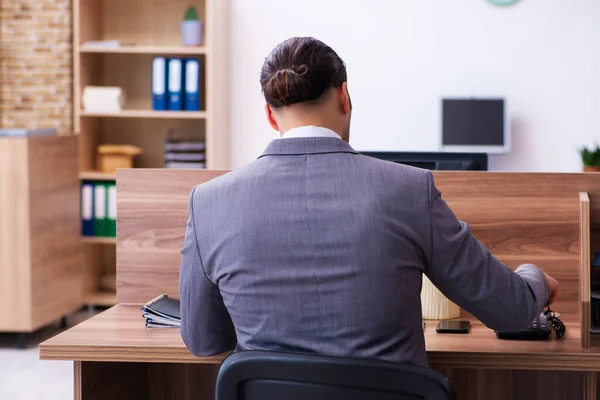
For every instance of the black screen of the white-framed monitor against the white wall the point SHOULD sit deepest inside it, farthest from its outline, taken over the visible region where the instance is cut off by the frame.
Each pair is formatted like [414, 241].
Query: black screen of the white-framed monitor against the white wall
[471, 122]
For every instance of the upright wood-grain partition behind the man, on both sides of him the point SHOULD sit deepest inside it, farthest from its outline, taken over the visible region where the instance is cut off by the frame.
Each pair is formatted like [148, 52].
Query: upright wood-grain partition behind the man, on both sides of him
[520, 217]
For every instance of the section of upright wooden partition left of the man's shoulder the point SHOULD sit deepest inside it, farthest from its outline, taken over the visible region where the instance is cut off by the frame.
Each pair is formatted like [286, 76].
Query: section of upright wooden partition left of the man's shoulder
[151, 219]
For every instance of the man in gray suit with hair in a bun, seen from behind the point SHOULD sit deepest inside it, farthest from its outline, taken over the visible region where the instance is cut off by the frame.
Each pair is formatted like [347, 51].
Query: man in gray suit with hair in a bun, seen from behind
[315, 248]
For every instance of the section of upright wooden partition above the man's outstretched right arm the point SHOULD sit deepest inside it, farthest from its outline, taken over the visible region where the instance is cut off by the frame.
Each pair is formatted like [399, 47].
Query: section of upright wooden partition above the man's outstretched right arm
[521, 225]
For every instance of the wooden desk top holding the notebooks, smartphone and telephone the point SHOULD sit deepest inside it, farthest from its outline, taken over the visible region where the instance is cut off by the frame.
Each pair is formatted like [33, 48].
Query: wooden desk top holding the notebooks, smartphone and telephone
[119, 335]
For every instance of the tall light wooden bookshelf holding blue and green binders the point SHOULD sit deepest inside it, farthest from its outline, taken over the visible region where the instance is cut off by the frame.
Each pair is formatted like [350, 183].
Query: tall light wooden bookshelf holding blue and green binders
[145, 29]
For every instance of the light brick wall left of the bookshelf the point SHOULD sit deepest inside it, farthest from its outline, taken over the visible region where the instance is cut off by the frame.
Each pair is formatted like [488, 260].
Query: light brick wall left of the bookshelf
[36, 64]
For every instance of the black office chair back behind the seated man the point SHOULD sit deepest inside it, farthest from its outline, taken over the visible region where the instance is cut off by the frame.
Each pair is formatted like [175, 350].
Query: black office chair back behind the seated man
[261, 375]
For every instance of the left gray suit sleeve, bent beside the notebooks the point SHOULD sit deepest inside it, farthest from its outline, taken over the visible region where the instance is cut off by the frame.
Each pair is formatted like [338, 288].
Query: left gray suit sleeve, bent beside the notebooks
[206, 326]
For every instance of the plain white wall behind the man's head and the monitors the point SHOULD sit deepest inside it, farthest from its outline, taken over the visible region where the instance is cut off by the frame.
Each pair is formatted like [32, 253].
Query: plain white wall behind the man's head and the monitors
[543, 56]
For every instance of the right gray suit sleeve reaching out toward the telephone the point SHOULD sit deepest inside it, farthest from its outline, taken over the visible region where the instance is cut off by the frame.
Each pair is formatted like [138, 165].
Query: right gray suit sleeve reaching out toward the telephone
[470, 276]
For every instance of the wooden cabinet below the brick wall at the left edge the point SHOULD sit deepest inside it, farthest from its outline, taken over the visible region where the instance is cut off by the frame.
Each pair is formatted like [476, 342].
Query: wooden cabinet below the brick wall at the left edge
[40, 246]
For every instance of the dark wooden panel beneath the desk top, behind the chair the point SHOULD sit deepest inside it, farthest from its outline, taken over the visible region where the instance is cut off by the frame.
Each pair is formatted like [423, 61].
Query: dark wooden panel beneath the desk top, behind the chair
[156, 381]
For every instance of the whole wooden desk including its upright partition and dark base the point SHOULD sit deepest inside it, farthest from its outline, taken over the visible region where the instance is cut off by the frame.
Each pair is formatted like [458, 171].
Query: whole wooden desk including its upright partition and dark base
[539, 218]
